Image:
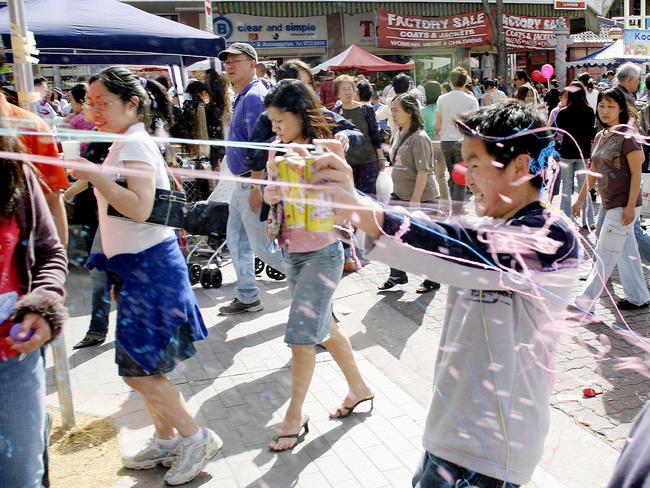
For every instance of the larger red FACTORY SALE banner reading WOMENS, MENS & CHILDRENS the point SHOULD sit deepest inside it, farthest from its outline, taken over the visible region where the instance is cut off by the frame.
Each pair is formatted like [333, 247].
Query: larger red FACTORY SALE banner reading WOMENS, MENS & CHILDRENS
[407, 31]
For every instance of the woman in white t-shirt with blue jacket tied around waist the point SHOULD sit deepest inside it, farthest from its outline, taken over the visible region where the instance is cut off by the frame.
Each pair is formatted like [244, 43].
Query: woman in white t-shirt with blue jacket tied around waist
[158, 318]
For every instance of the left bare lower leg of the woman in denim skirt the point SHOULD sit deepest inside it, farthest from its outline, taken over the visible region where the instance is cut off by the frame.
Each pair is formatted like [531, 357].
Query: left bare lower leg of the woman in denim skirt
[303, 362]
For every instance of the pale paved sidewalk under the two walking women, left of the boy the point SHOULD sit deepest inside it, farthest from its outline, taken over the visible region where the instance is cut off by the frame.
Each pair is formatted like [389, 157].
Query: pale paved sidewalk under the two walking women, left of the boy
[239, 384]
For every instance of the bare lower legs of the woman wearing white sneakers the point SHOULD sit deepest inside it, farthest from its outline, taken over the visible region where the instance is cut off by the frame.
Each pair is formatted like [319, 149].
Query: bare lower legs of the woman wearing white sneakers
[166, 405]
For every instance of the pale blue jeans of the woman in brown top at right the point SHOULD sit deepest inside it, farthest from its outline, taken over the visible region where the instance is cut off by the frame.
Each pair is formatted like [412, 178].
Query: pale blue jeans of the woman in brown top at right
[616, 246]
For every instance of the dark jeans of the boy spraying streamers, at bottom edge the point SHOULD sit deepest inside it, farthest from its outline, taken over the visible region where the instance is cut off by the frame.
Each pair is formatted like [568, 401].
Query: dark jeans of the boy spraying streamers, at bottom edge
[434, 472]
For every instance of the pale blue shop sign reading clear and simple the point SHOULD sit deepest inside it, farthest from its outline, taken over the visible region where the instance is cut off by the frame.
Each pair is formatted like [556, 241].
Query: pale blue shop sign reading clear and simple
[273, 32]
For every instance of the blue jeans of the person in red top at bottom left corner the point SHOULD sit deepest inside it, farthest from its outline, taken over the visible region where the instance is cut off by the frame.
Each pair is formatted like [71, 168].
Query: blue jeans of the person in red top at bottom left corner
[22, 421]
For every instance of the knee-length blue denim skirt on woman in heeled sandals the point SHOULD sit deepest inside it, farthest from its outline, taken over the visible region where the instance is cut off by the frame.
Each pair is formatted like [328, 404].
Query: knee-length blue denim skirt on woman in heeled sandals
[313, 277]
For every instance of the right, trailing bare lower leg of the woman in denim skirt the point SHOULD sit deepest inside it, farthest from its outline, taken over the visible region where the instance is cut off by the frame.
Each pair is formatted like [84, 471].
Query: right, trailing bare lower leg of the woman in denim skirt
[340, 348]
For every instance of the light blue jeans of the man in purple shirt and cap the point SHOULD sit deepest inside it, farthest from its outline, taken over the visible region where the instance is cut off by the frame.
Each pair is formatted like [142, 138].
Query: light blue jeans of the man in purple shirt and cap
[245, 238]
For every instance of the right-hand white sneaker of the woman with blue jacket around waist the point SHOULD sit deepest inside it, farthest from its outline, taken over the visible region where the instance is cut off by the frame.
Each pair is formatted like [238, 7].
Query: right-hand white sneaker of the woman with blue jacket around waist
[192, 458]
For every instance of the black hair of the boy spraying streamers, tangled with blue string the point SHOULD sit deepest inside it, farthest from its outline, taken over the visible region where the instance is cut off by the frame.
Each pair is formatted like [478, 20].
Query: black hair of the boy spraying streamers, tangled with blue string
[496, 124]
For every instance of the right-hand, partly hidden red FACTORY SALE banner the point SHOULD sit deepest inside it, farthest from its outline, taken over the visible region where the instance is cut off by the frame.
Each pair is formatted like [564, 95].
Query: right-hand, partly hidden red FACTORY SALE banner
[530, 32]
